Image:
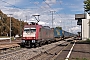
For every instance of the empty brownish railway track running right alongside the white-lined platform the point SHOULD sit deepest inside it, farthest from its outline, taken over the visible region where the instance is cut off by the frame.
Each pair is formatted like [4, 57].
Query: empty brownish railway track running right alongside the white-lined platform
[52, 53]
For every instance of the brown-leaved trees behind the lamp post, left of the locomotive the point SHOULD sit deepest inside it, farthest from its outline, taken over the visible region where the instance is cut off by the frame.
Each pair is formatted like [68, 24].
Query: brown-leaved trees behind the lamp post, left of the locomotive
[16, 25]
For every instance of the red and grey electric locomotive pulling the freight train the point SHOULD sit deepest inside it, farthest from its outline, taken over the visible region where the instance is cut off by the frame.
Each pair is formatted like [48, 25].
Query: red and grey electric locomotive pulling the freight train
[36, 35]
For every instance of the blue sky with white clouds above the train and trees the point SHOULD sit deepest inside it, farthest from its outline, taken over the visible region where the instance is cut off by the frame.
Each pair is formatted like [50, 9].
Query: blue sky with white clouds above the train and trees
[63, 12]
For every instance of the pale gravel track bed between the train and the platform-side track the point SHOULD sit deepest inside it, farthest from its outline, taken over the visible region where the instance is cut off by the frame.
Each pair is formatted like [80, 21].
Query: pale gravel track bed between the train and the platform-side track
[25, 54]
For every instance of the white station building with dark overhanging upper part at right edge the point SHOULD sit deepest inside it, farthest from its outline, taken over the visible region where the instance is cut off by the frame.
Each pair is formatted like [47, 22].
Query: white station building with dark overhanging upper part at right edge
[84, 22]
